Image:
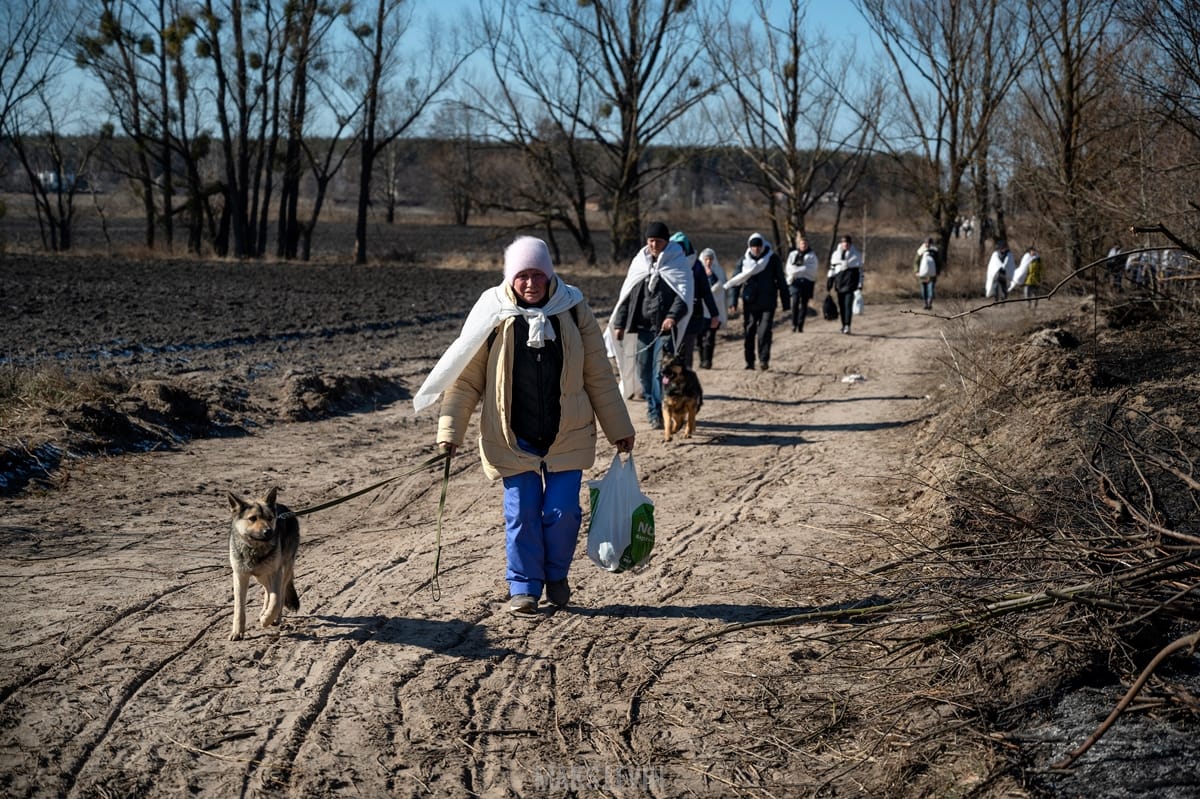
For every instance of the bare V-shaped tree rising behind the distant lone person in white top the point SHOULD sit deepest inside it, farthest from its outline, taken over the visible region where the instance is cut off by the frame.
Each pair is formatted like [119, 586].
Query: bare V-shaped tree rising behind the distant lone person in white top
[955, 64]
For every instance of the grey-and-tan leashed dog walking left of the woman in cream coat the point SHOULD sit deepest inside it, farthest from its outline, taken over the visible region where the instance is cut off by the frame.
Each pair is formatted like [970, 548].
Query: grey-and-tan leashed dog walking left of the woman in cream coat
[262, 546]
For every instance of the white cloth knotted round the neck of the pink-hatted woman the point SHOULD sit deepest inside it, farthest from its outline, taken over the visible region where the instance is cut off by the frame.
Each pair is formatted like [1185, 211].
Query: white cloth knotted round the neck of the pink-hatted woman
[493, 308]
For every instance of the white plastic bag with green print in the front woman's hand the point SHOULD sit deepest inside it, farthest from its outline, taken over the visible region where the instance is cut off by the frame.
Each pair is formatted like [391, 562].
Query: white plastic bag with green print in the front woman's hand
[621, 533]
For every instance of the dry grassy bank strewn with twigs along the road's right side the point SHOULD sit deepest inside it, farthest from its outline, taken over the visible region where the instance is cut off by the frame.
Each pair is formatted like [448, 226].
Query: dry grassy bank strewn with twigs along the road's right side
[1046, 539]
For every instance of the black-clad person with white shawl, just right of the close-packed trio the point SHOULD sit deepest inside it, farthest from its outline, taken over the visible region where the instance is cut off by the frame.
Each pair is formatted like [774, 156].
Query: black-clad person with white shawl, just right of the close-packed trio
[758, 283]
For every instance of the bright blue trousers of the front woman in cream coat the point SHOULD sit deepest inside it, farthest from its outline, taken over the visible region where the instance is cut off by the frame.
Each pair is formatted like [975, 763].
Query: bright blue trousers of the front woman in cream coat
[542, 524]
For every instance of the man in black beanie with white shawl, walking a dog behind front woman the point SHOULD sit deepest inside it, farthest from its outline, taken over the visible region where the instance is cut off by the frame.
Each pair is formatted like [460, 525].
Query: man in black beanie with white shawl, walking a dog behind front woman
[656, 305]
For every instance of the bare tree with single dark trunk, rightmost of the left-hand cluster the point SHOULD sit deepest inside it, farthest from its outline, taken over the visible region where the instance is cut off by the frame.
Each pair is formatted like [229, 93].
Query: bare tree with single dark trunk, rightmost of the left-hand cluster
[411, 86]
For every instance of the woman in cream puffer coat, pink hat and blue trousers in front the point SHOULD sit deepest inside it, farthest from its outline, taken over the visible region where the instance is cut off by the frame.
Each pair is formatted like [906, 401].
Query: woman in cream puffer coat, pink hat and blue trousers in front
[532, 356]
